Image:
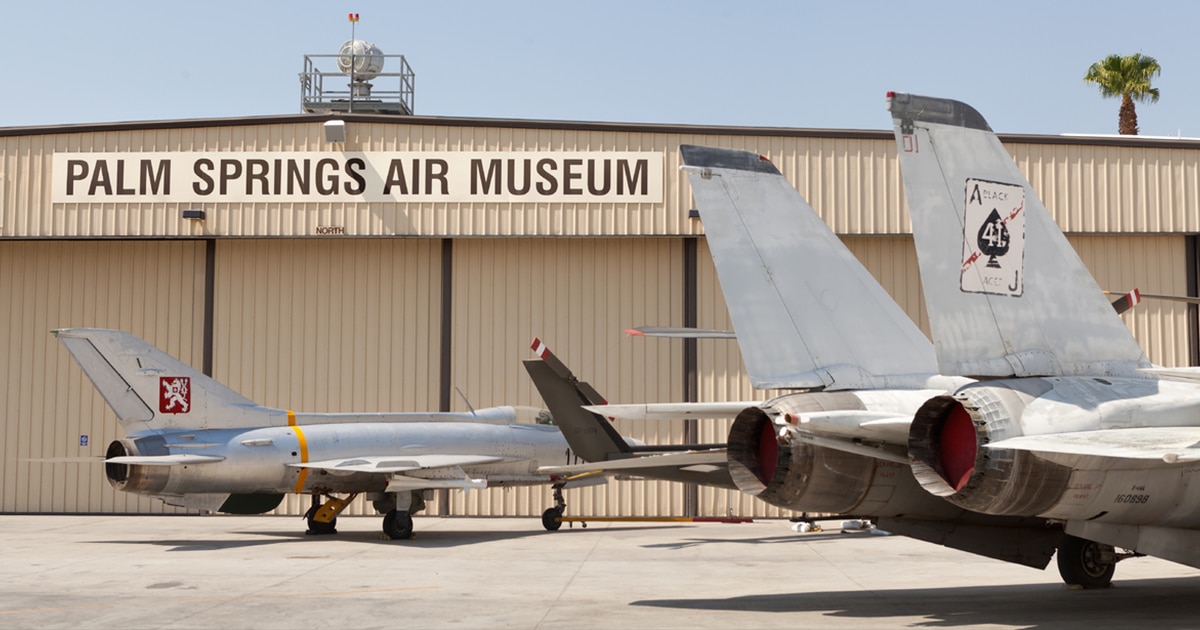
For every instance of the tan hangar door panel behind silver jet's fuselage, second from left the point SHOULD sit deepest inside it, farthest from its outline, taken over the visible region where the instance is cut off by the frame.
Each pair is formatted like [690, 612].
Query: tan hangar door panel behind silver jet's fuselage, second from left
[329, 326]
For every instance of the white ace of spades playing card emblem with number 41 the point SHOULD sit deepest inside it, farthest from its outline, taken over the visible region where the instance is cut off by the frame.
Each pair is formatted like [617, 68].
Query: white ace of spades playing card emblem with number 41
[993, 238]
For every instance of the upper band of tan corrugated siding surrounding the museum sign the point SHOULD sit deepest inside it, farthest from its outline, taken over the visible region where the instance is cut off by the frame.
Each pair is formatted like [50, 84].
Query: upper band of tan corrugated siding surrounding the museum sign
[855, 184]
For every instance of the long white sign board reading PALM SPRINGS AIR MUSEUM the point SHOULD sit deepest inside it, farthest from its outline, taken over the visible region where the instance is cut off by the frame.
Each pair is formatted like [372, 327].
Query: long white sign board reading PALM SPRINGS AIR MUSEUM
[449, 177]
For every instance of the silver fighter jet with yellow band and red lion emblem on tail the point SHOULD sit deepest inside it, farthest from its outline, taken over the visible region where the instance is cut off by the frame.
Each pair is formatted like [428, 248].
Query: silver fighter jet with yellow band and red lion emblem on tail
[195, 443]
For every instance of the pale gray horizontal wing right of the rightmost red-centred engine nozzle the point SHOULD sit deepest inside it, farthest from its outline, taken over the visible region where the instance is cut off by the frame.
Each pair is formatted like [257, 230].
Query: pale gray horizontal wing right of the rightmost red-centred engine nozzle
[1165, 445]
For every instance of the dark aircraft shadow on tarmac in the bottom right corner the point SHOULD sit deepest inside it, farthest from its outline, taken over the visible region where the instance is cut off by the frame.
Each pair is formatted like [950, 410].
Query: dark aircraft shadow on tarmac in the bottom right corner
[1160, 604]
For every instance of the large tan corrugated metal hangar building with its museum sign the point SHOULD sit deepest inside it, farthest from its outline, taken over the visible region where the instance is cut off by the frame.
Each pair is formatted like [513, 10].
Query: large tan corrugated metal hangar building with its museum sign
[418, 257]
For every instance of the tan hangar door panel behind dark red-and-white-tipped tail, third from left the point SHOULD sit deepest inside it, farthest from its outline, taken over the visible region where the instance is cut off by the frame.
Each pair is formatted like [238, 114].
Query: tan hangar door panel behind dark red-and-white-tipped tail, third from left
[579, 296]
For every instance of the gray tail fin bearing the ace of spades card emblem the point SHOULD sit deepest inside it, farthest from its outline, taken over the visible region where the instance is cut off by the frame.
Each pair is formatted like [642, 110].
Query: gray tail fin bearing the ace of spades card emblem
[1007, 295]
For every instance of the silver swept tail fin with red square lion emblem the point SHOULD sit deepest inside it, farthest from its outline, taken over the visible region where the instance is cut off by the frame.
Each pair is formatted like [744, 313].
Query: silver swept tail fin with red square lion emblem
[152, 391]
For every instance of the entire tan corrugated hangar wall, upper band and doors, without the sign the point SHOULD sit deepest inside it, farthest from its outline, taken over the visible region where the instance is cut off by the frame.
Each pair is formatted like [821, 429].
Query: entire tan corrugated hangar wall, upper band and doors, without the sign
[356, 325]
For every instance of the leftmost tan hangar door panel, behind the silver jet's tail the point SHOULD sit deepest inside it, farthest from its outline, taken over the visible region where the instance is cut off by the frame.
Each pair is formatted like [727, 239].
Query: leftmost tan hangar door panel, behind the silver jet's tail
[151, 289]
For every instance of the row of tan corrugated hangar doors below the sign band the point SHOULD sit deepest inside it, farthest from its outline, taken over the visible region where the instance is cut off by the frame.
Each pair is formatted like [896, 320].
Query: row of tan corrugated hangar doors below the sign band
[333, 325]
